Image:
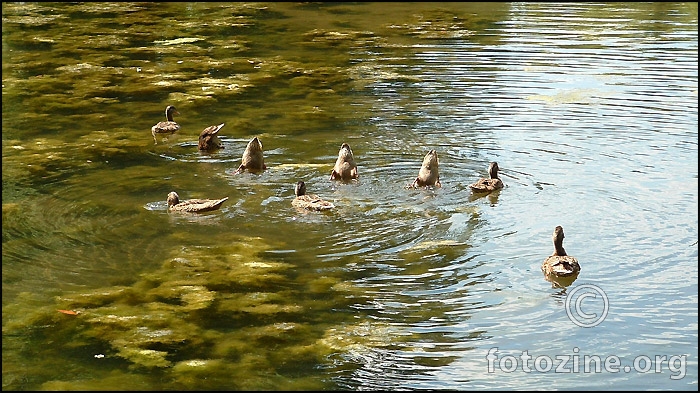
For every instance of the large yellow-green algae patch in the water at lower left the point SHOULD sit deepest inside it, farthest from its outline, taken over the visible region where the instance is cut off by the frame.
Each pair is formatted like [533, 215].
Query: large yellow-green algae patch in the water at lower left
[201, 301]
